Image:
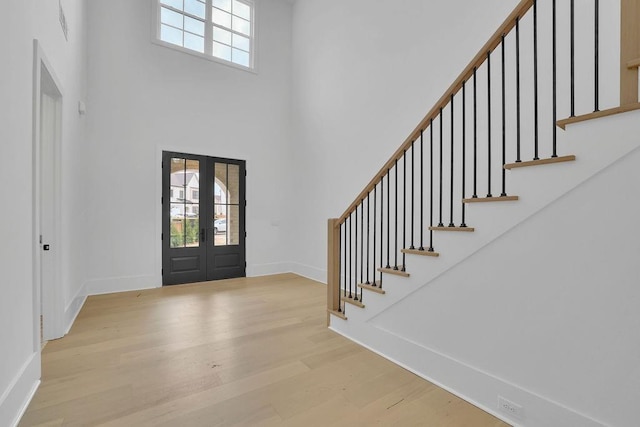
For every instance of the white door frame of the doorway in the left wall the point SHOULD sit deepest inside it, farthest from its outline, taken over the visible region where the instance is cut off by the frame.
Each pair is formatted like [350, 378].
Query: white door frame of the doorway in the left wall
[47, 301]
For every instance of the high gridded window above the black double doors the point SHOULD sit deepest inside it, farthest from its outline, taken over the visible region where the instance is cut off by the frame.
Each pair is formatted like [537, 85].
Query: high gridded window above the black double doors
[221, 29]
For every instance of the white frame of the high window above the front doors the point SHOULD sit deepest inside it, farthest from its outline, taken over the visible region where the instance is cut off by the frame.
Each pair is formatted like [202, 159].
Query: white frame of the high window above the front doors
[208, 34]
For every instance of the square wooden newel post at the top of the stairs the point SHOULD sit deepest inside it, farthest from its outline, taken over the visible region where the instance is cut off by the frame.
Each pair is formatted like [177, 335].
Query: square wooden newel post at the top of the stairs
[629, 50]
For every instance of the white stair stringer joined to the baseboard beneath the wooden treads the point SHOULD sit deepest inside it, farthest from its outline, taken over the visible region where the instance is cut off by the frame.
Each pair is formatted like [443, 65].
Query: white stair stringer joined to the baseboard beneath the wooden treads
[376, 328]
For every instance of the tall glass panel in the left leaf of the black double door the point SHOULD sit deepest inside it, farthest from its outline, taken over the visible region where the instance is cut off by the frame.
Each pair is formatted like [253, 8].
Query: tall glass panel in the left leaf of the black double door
[185, 203]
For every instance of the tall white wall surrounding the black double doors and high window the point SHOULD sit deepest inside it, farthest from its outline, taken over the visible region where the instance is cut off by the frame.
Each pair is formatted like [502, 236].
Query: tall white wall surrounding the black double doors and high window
[144, 98]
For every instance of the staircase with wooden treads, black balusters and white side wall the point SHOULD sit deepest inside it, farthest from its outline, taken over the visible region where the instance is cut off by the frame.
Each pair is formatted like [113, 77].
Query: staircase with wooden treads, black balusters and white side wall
[481, 187]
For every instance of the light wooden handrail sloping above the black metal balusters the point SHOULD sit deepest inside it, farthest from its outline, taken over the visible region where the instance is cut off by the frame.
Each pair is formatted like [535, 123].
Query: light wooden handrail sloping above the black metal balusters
[466, 74]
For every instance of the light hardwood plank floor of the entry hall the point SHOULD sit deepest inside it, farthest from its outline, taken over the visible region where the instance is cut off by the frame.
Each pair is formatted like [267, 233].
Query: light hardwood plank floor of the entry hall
[242, 352]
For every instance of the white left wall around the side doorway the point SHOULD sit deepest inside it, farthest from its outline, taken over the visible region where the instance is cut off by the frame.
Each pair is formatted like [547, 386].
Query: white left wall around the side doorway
[19, 355]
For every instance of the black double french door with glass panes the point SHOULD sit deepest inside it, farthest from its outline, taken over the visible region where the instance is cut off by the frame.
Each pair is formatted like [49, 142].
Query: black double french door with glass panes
[203, 218]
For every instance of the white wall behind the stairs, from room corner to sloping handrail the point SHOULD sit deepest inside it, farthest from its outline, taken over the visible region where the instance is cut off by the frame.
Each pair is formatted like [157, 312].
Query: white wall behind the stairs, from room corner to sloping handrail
[365, 74]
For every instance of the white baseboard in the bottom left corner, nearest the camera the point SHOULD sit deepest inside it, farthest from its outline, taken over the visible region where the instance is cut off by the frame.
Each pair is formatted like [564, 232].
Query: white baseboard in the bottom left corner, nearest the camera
[16, 398]
